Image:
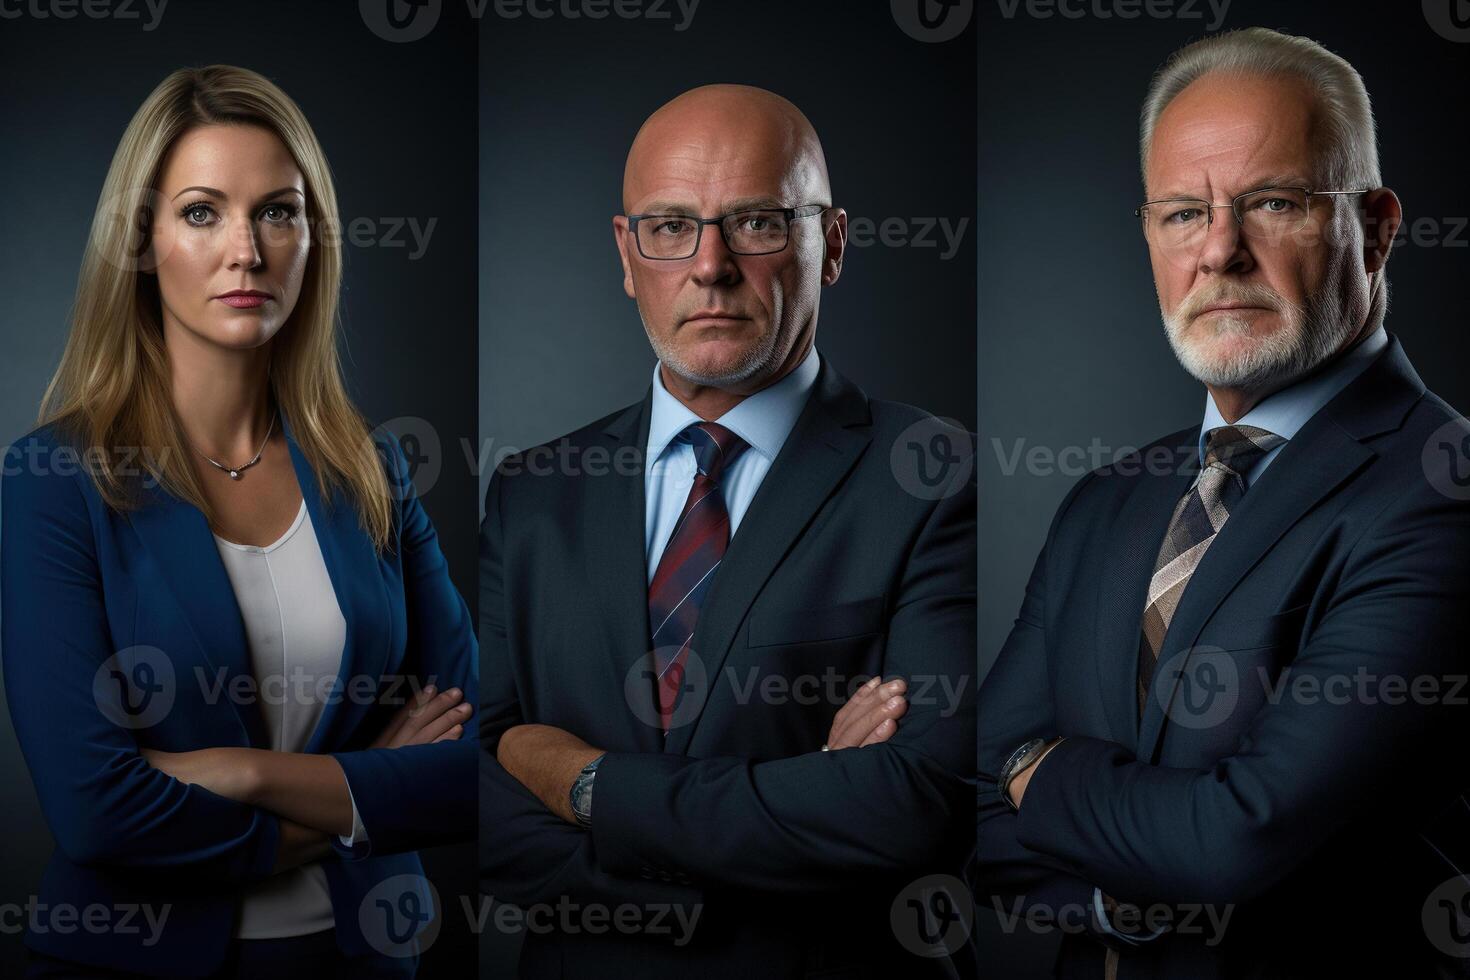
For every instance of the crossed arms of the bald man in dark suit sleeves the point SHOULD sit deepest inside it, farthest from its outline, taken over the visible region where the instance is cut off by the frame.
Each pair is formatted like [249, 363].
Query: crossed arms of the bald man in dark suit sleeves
[808, 824]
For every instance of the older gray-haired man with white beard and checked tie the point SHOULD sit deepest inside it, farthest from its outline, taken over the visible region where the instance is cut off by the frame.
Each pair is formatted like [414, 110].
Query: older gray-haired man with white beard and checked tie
[1222, 738]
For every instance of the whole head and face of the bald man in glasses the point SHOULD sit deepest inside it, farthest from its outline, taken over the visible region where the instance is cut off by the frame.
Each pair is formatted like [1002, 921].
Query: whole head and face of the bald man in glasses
[725, 323]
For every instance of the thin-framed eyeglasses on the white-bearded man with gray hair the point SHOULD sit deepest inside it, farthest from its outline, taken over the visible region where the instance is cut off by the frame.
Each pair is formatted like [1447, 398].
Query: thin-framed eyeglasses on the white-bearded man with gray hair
[1269, 214]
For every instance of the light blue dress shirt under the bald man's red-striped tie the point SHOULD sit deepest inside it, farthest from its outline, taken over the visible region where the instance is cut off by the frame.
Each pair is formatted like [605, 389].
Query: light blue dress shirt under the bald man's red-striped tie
[764, 421]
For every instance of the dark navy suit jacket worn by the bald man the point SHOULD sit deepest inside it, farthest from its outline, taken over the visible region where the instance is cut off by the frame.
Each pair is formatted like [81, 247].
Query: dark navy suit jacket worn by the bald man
[792, 857]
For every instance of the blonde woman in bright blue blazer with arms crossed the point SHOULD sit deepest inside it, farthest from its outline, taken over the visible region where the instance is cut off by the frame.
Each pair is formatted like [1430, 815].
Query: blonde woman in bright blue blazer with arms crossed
[233, 655]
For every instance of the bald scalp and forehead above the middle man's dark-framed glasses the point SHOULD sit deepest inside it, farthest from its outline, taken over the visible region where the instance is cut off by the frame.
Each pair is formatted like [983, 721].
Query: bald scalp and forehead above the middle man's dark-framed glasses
[717, 139]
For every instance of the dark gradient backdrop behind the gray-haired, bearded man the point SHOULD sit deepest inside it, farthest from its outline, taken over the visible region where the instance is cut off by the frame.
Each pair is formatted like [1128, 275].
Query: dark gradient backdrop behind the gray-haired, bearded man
[1072, 347]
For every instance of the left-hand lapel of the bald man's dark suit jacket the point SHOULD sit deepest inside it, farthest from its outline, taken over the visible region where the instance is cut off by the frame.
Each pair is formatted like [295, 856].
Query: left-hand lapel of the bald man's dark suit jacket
[615, 552]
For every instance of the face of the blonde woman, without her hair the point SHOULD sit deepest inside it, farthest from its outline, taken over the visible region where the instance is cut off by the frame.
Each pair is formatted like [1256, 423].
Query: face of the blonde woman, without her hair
[230, 220]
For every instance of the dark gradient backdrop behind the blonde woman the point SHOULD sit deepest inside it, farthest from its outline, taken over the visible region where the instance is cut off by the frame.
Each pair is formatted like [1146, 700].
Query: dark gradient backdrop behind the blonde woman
[398, 123]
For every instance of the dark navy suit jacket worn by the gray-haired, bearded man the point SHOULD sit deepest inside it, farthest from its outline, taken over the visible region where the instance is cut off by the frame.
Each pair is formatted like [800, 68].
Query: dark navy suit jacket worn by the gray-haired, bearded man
[1319, 815]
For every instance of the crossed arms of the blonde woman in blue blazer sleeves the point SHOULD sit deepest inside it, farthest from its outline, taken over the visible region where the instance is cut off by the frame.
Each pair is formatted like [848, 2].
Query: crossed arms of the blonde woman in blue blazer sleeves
[233, 813]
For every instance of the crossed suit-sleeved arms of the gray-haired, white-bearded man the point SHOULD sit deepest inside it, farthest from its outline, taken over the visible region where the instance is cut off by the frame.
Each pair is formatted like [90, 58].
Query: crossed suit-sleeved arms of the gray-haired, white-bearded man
[1093, 816]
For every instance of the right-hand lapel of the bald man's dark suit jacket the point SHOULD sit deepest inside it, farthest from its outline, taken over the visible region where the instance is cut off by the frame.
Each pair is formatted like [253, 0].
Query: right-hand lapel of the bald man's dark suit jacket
[827, 442]
